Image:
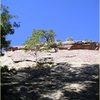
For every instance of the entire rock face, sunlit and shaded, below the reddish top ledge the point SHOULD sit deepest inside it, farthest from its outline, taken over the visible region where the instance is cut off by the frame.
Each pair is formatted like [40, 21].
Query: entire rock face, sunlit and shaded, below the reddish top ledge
[73, 75]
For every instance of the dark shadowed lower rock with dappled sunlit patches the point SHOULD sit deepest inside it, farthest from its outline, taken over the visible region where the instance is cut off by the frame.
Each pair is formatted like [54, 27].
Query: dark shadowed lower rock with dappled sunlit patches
[61, 82]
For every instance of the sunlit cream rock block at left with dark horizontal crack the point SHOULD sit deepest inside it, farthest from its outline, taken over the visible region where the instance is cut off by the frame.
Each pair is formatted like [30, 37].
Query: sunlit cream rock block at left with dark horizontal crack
[18, 59]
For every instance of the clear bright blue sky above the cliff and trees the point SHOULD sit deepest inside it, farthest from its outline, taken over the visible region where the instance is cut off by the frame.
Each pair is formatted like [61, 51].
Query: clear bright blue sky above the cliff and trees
[78, 19]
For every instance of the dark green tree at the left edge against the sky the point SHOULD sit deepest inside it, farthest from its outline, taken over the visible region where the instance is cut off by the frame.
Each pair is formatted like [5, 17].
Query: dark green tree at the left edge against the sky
[6, 27]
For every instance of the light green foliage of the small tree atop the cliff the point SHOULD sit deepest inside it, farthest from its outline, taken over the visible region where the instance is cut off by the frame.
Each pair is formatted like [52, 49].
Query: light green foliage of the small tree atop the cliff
[40, 37]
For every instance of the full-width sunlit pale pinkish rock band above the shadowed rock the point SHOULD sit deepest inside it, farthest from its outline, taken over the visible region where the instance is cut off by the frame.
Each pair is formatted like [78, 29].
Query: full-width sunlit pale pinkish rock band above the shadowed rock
[21, 58]
